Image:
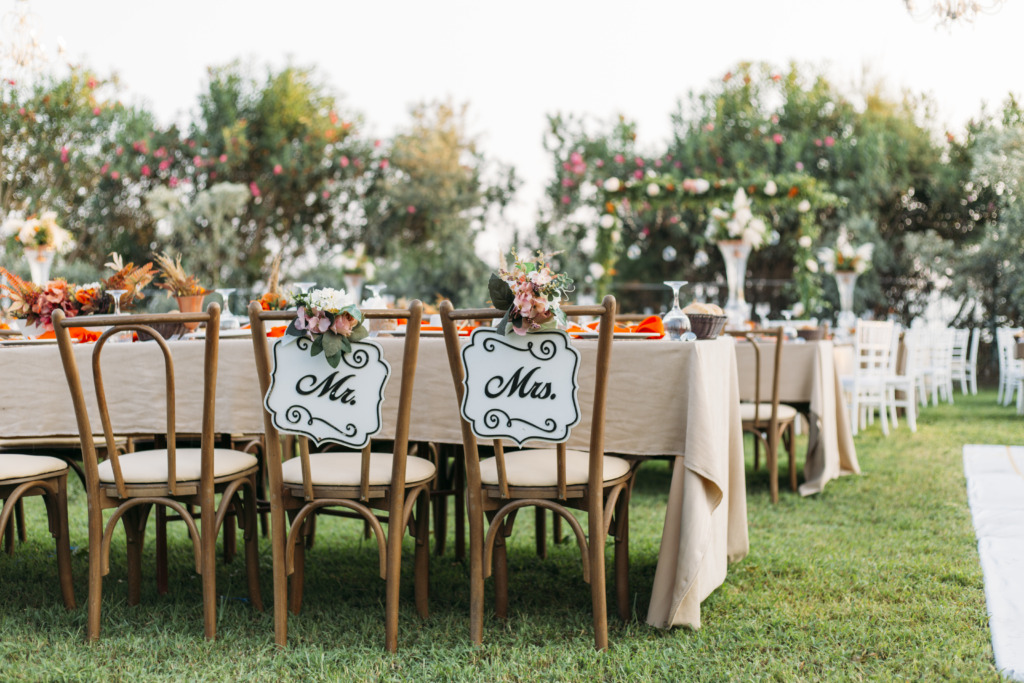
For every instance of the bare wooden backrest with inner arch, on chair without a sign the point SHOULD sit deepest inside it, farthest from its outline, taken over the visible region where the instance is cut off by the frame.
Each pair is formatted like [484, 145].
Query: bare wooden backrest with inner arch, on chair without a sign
[151, 325]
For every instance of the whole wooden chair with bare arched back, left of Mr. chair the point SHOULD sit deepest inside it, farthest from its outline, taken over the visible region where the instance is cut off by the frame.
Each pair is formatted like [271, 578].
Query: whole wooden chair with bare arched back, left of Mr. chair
[178, 479]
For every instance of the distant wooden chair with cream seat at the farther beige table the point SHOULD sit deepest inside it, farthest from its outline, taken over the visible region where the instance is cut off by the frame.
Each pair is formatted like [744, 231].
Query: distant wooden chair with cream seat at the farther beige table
[770, 421]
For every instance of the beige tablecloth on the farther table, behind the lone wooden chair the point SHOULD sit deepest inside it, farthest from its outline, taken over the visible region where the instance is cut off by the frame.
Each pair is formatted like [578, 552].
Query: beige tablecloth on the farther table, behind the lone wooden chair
[809, 376]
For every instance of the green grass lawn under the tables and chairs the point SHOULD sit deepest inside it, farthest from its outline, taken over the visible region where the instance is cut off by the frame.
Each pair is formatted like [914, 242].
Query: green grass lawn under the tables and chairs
[876, 579]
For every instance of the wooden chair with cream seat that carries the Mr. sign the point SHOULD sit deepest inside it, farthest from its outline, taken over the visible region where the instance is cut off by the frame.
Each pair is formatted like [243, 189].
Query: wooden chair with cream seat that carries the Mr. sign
[360, 482]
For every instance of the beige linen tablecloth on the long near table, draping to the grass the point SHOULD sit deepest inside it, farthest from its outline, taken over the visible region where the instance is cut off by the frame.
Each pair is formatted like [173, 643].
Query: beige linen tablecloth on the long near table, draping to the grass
[666, 399]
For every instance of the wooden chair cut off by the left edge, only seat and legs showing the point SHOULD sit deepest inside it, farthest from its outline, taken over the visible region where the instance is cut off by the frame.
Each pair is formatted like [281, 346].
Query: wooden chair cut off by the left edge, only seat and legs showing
[23, 476]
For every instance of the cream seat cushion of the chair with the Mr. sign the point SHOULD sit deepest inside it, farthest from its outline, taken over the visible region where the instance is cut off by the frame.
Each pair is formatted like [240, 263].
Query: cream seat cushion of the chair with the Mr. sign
[343, 469]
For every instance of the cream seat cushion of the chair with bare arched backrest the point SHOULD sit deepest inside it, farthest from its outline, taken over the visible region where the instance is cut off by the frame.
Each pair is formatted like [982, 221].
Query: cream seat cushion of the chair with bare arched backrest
[151, 466]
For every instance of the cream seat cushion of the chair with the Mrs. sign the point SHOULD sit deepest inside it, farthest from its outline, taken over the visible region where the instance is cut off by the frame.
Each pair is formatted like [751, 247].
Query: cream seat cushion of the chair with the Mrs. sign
[539, 467]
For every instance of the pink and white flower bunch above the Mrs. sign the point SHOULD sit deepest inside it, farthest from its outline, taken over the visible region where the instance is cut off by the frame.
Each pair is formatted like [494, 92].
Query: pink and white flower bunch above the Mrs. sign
[530, 293]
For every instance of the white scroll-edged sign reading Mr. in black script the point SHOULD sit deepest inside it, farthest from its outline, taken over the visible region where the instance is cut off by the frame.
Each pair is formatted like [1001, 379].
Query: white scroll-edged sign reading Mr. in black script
[342, 405]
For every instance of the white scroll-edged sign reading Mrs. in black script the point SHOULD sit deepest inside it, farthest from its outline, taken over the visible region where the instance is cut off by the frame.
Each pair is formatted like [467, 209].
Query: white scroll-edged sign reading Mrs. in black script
[521, 388]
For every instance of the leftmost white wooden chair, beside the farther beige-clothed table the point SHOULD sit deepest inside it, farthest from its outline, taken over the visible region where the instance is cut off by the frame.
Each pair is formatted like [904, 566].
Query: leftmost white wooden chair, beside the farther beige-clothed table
[867, 390]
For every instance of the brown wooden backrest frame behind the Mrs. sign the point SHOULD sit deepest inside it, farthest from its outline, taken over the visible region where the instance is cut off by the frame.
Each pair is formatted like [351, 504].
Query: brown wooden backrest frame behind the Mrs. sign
[607, 313]
